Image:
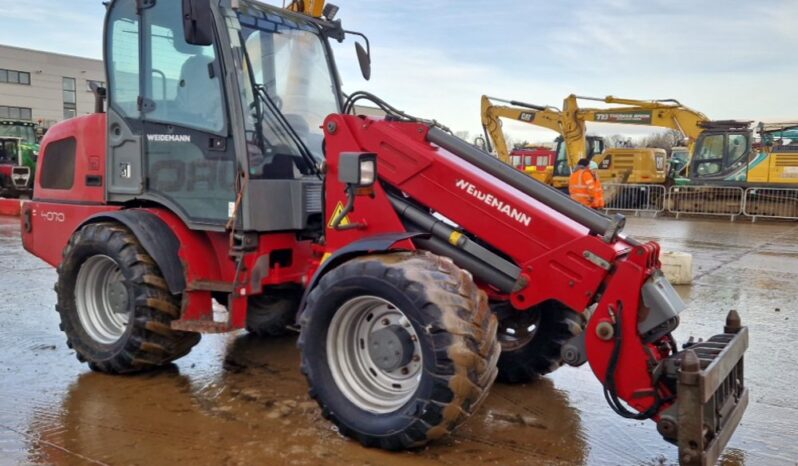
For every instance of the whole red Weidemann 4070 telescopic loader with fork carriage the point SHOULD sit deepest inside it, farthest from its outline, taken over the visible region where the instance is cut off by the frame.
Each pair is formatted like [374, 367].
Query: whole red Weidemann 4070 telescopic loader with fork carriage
[227, 165]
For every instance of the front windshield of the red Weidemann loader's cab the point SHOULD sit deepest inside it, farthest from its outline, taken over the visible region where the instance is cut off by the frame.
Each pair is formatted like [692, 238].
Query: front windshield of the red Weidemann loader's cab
[288, 59]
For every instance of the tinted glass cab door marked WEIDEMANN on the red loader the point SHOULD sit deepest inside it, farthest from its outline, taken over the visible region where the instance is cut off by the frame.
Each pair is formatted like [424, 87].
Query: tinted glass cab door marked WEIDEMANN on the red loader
[189, 158]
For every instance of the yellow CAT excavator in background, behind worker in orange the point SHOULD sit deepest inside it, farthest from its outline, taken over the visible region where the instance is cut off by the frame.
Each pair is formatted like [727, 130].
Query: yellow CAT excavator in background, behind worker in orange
[619, 165]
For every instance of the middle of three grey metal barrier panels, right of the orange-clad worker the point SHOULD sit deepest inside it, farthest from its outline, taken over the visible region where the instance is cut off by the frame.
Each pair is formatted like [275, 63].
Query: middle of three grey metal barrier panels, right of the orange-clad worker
[706, 200]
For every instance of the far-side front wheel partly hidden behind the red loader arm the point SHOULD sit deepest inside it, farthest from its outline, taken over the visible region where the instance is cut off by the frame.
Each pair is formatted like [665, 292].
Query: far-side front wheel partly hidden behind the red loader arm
[526, 356]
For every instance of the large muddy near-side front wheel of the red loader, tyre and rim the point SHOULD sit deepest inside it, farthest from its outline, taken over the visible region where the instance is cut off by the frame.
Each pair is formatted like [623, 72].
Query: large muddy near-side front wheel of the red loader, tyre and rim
[445, 316]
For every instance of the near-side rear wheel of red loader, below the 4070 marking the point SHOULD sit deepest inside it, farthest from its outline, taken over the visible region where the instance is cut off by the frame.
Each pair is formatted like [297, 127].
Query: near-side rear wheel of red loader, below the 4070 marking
[114, 304]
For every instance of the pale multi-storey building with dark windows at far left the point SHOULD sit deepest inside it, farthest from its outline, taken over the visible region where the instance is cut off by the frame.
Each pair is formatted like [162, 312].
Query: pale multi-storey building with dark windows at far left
[46, 87]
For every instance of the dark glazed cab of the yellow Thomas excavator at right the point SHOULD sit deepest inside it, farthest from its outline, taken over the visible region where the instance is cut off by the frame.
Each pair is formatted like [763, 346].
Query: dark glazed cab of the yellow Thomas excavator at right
[722, 152]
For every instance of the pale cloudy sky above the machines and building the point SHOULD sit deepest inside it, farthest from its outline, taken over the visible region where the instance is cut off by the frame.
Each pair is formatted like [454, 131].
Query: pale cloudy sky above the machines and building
[726, 58]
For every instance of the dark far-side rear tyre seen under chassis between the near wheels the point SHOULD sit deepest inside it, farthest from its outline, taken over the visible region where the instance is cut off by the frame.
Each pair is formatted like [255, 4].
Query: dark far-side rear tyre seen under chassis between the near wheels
[271, 314]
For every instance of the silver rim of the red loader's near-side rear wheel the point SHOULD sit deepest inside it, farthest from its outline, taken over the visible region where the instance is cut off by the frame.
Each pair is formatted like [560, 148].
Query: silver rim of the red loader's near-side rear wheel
[101, 299]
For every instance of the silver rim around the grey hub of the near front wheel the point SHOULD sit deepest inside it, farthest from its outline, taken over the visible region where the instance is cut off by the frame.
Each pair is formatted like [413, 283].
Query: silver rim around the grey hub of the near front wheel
[355, 373]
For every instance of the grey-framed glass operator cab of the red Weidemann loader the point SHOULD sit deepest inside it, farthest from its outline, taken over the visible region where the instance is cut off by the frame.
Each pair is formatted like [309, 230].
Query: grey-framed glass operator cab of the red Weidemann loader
[207, 101]
